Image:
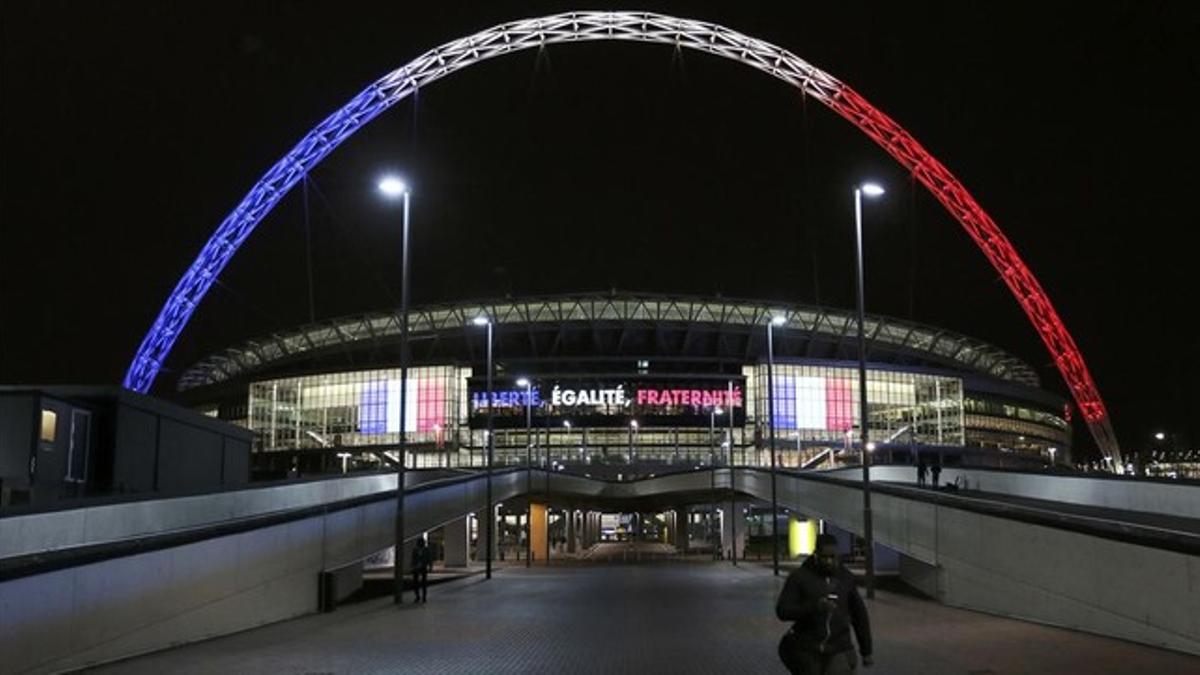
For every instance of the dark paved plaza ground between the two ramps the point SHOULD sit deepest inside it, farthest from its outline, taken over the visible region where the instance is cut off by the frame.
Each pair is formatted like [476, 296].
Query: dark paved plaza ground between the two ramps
[651, 618]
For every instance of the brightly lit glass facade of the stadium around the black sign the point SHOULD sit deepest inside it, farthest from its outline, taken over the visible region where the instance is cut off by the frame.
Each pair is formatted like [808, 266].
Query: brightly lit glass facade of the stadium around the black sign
[817, 407]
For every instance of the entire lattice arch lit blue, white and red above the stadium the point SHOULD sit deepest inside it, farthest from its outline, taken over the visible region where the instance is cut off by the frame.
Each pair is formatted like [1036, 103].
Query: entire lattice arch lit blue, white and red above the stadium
[634, 27]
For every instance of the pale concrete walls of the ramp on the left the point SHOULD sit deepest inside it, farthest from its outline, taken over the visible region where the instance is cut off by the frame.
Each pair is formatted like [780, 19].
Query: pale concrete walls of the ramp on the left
[147, 602]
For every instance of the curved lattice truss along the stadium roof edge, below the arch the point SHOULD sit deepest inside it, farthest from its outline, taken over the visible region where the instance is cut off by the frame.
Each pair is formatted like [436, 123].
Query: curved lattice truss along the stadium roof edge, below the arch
[838, 325]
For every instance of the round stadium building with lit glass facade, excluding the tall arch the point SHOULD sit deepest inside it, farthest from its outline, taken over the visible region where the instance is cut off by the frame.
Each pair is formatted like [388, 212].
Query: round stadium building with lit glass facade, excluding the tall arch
[627, 385]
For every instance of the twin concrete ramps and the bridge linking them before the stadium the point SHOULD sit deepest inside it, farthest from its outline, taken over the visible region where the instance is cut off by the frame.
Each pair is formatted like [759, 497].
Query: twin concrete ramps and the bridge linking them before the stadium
[97, 584]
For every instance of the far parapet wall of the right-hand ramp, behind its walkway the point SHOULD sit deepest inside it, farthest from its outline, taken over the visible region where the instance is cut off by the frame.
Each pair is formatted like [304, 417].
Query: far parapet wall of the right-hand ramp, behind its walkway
[1151, 497]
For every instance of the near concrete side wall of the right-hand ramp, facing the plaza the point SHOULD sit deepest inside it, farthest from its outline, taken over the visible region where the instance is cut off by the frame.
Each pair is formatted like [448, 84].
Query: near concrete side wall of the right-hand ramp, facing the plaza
[1015, 569]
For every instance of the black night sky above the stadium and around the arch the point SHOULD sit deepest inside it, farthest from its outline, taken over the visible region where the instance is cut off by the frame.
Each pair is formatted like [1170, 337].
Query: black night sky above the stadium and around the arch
[131, 129]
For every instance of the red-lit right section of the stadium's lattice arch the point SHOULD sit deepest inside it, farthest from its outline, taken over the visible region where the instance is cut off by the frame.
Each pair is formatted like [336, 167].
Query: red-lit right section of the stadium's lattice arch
[947, 189]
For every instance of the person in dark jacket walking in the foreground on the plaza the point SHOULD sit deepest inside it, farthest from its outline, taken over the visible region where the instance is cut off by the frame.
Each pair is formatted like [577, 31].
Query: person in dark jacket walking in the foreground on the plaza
[821, 601]
